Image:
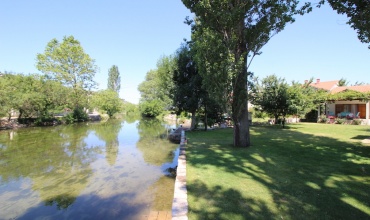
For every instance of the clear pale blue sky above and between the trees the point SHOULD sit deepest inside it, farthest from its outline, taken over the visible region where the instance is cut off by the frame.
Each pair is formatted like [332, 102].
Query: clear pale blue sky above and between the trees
[134, 34]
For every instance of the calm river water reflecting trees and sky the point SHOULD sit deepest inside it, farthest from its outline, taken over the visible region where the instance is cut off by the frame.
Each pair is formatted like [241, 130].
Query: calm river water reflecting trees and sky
[114, 170]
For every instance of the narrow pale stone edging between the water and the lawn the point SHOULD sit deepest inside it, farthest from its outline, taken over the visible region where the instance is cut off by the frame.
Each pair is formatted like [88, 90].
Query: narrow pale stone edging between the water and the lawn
[180, 197]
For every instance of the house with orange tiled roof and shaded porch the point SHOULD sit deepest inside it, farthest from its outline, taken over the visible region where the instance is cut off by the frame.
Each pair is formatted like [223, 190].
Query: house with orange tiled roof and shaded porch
[345, 108]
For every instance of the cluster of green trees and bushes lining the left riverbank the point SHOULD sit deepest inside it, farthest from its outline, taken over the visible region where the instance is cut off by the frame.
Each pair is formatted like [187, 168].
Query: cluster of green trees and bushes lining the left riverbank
[67, 83]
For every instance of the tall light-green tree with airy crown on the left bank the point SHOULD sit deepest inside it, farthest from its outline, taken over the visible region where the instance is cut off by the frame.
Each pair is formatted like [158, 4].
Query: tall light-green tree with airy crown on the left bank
[67, 63]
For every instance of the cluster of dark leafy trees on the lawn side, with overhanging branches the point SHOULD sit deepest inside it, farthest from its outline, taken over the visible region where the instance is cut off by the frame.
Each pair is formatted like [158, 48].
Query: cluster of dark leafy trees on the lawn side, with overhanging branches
[226, 36]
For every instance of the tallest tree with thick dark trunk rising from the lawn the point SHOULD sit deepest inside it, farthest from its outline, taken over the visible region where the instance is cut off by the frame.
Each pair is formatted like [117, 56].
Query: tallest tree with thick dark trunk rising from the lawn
[243, 27]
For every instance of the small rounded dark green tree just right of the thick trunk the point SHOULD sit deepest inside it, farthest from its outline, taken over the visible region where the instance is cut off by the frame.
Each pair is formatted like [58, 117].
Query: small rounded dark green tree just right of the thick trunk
[272, 96]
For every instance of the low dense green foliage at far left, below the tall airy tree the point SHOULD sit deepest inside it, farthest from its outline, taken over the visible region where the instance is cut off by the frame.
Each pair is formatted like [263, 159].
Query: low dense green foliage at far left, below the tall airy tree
[31, 95]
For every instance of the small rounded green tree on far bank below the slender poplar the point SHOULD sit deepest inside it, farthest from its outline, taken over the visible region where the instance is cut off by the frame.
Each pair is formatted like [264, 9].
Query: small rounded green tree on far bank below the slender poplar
[108, 101]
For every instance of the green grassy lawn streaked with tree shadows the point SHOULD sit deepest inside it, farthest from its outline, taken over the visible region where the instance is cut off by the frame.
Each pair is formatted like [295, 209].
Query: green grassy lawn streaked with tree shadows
[306, 171]
